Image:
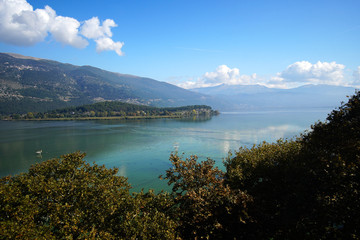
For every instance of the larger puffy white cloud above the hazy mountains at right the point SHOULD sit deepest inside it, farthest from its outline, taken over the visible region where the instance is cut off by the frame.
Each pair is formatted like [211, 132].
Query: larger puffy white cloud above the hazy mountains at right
[319, 73]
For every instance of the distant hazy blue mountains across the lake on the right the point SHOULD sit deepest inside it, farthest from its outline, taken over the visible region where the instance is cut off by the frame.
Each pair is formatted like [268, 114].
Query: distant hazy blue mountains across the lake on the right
[259, 98]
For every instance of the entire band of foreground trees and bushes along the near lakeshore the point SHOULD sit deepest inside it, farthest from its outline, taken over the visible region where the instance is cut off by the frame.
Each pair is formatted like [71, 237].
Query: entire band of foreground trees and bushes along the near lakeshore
[305, 188]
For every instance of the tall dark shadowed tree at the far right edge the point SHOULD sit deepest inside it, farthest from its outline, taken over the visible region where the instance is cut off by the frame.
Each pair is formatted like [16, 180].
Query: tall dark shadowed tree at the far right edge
[331, 153]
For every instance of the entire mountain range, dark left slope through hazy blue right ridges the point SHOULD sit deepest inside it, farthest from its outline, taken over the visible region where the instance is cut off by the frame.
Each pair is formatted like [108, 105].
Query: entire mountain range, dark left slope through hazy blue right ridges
[29, 84]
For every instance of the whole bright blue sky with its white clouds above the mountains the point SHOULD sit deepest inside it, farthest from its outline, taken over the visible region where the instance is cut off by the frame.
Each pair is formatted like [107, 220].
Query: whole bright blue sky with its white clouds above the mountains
[191, 43]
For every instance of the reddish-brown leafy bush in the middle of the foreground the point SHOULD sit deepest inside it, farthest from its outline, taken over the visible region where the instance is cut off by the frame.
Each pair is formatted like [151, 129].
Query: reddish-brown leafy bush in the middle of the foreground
[207, 208]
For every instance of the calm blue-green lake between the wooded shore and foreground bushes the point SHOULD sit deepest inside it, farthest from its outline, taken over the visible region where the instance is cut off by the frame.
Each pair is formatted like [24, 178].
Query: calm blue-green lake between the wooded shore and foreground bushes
[141, 148]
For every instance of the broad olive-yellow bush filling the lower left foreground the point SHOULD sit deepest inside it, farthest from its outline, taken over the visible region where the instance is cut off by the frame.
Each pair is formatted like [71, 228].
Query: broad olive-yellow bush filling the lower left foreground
[69, 199]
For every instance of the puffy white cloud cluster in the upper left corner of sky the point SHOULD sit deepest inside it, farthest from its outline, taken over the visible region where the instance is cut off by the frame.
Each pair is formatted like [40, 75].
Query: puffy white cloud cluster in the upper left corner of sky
[21, 25]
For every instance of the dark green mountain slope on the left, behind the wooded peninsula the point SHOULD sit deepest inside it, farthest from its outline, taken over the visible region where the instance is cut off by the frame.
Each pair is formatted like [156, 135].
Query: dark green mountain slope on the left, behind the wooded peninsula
[35, 85]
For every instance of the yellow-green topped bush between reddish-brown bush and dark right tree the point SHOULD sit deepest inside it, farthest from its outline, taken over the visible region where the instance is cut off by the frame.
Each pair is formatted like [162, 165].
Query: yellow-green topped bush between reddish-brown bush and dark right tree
[271, 174]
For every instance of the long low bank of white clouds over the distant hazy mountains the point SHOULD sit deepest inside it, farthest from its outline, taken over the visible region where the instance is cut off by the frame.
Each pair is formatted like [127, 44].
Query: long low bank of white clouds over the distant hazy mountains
[296, 74]
